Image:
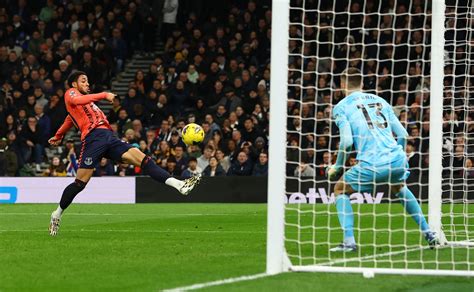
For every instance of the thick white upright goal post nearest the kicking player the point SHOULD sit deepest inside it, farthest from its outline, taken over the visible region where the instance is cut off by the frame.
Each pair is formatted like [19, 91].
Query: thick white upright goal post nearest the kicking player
[277, 146]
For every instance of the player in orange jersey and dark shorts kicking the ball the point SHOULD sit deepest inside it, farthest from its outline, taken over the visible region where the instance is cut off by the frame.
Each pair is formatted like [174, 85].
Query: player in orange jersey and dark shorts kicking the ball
[99, 141]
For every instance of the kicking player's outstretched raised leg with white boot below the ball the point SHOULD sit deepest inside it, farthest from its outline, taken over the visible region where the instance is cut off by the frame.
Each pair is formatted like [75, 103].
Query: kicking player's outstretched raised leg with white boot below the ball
[138, 158]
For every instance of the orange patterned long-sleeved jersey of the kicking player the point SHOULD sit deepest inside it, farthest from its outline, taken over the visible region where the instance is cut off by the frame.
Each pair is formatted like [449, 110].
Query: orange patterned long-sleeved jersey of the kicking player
[83, 113]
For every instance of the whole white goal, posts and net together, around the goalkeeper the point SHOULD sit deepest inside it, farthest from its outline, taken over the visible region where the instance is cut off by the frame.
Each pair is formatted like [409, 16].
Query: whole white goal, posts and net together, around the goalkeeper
[417, 56]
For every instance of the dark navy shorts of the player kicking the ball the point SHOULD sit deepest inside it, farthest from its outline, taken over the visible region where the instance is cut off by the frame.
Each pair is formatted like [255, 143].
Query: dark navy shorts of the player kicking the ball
[101, 143]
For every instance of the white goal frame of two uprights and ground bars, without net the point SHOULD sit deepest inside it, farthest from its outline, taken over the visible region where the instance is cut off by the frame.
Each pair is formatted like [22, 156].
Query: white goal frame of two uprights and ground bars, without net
[277, 261]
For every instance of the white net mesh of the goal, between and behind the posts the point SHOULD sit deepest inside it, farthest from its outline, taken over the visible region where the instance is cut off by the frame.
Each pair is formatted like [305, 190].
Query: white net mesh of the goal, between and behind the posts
[390, 42]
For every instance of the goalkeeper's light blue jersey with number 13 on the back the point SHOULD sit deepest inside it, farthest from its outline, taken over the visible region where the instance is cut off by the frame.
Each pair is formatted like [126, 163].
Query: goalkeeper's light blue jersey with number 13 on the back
[370, 118]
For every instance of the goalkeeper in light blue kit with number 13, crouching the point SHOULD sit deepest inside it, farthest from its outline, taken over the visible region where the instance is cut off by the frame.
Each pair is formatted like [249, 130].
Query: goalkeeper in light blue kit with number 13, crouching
[367, 121]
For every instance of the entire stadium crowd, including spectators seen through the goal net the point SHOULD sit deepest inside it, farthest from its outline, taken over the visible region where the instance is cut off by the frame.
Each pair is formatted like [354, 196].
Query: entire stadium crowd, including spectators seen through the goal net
[215, 71]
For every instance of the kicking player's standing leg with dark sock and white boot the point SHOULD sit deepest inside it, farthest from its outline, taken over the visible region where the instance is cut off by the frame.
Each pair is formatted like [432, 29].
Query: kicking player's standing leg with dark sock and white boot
[69, 193]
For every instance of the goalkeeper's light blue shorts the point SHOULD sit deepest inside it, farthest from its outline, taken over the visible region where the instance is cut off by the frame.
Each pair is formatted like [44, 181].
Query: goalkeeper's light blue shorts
[364, 176]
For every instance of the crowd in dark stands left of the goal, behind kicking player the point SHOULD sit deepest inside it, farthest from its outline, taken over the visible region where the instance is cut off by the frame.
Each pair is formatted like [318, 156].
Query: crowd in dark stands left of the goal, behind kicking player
[214, 71]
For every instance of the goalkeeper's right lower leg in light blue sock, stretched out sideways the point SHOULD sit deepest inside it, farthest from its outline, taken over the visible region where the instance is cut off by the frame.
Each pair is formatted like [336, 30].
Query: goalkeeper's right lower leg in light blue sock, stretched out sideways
[412, 207]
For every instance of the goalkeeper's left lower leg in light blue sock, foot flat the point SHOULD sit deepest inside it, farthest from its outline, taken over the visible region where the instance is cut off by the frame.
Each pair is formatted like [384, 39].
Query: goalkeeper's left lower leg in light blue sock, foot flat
[345, 215]
